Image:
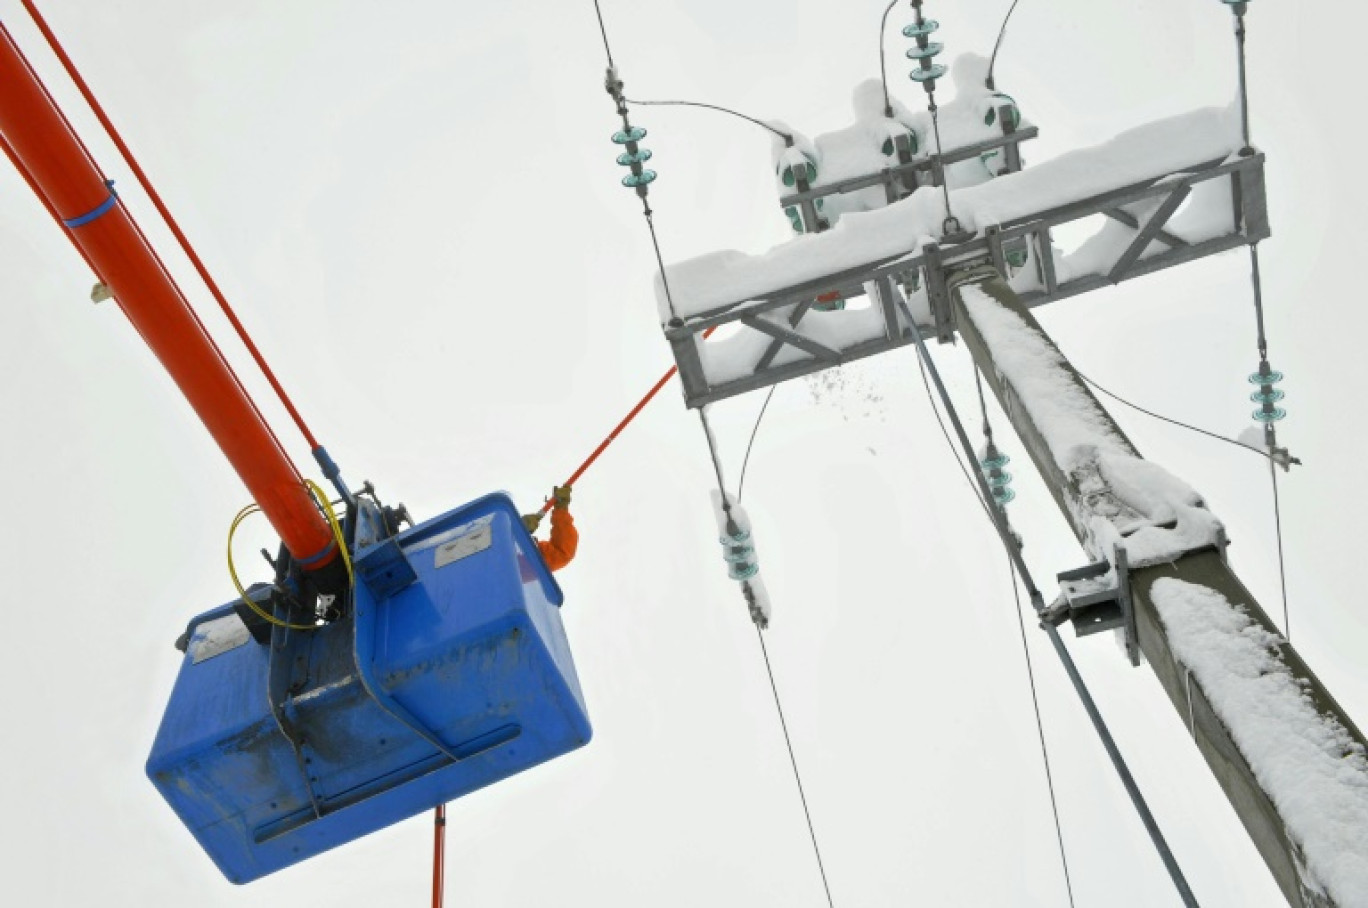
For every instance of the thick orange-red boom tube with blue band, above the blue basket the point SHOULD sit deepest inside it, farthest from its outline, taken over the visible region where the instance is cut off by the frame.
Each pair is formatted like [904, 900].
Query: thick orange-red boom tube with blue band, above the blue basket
[50, 157]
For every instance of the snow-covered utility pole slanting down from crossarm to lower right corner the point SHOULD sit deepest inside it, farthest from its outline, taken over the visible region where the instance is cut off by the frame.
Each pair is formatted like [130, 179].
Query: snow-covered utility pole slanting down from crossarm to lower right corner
[1288, 758]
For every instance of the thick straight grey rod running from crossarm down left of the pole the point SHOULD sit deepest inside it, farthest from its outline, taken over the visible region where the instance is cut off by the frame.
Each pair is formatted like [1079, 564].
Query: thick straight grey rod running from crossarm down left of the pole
[1051, 631]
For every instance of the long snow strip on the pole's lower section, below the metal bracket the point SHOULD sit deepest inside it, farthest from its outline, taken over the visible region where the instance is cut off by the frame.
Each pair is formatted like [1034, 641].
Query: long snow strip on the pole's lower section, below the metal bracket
[1308, 764]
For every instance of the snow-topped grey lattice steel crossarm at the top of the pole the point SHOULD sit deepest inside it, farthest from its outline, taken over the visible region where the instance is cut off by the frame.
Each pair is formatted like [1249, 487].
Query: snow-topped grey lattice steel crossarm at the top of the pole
[1172, 192]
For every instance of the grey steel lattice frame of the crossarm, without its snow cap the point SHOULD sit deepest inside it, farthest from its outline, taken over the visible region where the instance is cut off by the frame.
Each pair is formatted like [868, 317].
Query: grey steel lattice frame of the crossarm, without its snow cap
[931, 267]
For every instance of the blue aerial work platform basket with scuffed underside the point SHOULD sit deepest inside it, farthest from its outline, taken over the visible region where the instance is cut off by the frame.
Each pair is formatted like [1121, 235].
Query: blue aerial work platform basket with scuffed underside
[452, 672]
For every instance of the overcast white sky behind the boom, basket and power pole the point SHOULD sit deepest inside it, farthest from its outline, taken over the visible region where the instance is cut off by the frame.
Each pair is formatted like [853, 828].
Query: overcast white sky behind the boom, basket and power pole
[415, 210]
